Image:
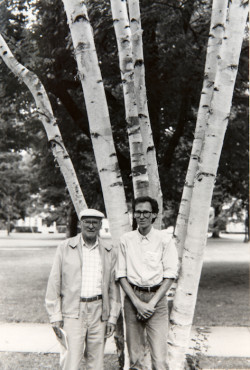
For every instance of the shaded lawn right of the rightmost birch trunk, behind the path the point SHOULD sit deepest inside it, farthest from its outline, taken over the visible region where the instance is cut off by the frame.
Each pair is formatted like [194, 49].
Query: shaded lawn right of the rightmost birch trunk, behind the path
[223, 296]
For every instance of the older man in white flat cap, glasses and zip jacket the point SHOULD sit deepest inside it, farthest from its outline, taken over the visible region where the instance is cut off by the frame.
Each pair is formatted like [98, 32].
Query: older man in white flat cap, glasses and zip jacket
[82, 296]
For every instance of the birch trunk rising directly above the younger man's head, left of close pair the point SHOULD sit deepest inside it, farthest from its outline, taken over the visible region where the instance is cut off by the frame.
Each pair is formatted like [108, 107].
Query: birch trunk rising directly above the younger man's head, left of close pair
[123, 36]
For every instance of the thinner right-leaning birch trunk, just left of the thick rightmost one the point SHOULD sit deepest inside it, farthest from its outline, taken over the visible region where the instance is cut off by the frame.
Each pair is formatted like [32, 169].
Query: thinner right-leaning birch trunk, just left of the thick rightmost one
[217, 27]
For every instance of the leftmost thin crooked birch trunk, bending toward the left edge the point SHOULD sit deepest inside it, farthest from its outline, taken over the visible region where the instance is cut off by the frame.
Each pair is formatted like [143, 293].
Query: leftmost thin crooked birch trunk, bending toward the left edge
[49, 122]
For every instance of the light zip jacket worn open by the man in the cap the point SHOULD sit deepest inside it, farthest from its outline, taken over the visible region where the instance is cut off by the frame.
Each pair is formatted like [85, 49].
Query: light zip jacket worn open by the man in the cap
[64, 284]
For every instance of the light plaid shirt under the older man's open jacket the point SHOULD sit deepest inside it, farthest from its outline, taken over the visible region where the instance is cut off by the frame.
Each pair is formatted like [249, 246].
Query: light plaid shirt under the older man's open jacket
[91, 270]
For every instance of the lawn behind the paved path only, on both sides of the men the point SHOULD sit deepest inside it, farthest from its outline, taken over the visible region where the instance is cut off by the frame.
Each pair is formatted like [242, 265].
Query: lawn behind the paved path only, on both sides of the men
[223, 296]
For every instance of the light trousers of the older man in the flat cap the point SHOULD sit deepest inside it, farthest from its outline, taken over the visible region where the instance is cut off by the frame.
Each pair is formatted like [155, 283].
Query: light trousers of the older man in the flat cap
[85, 338]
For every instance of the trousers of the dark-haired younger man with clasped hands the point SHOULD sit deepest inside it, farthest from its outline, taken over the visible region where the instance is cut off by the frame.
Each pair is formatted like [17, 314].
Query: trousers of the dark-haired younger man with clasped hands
[156, 330]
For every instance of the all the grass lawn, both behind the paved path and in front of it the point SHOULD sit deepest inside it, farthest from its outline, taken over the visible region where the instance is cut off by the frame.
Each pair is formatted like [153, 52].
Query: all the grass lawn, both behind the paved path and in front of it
[223, 300]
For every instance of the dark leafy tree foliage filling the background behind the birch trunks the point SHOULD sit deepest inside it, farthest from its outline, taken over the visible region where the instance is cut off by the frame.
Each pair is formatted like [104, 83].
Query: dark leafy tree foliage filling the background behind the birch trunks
[175, 39]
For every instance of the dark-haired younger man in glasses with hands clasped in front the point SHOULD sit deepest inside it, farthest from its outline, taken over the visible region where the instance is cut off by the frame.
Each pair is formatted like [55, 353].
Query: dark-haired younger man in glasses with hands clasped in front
[147, 265]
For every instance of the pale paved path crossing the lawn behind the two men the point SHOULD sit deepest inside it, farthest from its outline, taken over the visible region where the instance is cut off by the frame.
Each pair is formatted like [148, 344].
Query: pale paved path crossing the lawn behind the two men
[210, 341]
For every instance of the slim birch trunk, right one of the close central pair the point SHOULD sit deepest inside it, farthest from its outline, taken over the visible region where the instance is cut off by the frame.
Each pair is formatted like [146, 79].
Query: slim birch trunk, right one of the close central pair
[142, 106]
